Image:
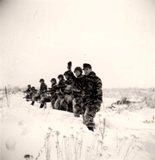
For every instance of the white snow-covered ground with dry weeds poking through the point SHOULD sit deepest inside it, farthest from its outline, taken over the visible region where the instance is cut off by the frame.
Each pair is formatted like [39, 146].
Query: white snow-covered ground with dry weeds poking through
[124, 133]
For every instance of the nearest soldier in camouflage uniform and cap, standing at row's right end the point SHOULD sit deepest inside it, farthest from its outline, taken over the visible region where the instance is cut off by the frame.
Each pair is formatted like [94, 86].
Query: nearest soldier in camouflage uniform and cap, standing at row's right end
[92, 98]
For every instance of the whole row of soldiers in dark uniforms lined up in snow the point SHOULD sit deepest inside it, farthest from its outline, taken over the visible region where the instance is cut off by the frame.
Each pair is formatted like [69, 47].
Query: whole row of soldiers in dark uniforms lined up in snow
[74, 92]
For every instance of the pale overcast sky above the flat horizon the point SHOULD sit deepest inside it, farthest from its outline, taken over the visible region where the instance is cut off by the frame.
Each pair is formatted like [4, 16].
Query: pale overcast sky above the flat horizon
[39, 37]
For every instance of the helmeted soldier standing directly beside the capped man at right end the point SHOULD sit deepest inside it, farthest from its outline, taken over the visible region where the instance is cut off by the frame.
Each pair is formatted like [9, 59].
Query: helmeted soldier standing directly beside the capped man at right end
[77, 92]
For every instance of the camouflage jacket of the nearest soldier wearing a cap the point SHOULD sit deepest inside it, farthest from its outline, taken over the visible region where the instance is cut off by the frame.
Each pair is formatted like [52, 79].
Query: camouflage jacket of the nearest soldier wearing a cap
[92, 88]
